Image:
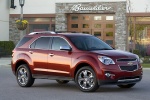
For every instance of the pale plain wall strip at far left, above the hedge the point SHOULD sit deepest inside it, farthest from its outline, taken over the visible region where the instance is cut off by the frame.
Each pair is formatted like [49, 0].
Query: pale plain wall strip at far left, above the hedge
[4, 20]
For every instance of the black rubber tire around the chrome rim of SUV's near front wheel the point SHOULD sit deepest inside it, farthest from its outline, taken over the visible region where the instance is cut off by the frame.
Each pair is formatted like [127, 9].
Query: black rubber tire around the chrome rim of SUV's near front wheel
[95, 87]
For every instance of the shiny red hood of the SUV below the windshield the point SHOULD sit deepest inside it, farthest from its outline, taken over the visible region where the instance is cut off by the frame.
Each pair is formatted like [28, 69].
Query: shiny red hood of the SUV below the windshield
[115, 53]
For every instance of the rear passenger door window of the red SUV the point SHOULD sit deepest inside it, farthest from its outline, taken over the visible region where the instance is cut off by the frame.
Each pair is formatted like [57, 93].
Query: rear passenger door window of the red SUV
[41, 43]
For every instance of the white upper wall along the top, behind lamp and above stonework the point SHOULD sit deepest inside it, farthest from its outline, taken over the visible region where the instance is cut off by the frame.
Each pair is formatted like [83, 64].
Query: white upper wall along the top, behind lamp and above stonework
[48, 6]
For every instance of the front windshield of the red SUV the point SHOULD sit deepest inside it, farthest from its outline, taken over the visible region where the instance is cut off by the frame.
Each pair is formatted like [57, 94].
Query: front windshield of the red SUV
[89, 43]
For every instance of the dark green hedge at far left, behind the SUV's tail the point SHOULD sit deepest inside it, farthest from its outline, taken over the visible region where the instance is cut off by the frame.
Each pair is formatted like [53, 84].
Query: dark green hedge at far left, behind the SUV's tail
[6, 48]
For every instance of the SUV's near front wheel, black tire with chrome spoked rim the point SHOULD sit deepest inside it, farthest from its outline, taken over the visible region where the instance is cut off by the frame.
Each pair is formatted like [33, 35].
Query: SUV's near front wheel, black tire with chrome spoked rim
[86, 79]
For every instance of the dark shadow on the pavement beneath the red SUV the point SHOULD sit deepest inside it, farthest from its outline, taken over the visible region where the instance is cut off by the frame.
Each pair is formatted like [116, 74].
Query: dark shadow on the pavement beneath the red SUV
[71, 86]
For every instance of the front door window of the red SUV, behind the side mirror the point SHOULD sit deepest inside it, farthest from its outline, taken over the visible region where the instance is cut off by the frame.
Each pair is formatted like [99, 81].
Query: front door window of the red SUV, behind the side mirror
[57, 42]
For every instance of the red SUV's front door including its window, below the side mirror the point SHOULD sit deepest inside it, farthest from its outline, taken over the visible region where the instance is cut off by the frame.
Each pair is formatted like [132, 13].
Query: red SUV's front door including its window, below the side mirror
[59, 61]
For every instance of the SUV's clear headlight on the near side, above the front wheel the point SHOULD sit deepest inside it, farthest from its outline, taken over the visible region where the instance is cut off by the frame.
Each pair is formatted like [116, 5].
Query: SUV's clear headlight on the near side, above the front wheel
[106, 60]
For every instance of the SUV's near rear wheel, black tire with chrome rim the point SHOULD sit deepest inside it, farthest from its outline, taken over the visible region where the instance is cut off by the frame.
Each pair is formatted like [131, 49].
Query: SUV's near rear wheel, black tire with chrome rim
[24, 76]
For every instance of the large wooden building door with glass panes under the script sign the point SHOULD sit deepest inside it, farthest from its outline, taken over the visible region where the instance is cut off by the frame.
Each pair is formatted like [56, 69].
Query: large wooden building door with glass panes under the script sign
[99, 25]
